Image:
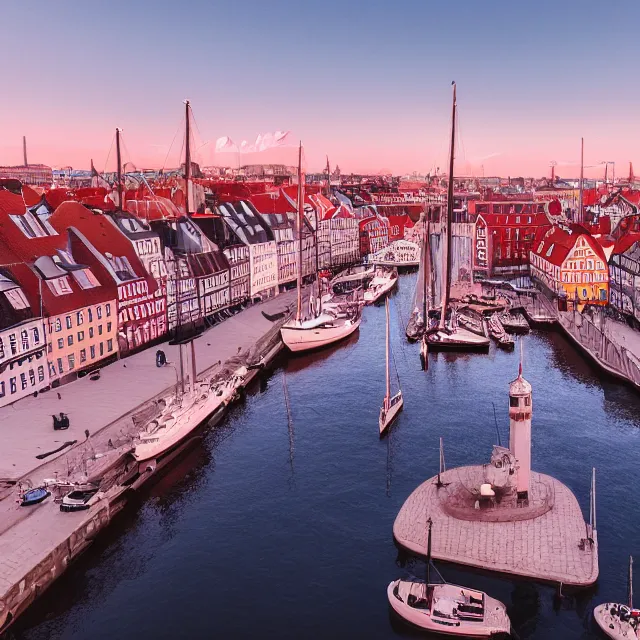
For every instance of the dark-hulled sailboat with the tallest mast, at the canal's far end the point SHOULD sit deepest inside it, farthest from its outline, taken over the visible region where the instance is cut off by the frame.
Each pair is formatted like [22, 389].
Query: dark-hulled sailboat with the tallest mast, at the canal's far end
[450, 336]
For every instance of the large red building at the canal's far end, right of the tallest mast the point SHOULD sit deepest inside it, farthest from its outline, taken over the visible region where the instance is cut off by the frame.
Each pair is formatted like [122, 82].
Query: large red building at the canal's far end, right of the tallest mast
[503, 236]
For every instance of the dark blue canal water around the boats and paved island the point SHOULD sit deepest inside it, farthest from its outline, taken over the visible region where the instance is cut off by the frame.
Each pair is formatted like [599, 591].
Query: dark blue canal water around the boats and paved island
[272, 530]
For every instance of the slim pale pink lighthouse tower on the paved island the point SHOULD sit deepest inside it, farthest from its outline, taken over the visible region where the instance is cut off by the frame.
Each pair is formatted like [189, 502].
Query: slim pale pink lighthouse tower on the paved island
[520, 431]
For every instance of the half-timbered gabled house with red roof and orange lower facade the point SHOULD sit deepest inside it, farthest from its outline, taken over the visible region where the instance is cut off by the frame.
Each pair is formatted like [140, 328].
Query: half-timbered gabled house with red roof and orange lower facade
[571, 263]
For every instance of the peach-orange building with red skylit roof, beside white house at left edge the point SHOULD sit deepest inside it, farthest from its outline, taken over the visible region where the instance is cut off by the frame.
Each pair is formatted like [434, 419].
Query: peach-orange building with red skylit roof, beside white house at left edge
[78, 306]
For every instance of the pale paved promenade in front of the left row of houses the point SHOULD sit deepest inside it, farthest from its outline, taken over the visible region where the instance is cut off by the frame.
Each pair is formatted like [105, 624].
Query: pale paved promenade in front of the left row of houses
[26, 427]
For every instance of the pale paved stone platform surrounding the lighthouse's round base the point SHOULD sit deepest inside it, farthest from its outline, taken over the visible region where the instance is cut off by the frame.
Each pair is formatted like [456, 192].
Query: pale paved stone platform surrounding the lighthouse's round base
[547, 547]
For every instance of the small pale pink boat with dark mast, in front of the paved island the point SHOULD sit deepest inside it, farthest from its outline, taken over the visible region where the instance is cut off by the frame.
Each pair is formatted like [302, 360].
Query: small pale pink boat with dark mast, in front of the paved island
[448, 609]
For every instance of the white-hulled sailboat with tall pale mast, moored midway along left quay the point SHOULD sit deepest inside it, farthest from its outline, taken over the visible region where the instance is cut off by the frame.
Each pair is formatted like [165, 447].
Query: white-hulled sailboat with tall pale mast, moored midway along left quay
[327, 327]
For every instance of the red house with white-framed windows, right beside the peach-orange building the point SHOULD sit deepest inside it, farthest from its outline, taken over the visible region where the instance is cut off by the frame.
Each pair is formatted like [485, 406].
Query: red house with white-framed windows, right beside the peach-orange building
[95, 240]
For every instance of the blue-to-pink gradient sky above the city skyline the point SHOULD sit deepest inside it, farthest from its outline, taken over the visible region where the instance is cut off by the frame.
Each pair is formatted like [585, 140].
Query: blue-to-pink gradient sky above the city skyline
[366, 83]
